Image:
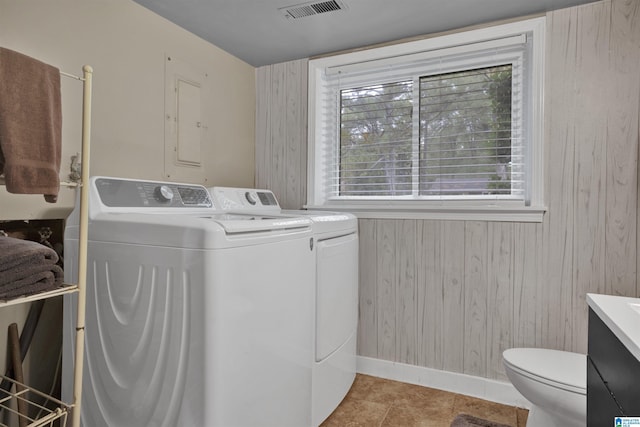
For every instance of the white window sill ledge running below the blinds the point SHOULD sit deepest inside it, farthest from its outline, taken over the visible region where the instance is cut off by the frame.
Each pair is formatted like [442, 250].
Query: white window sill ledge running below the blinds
[458, 213]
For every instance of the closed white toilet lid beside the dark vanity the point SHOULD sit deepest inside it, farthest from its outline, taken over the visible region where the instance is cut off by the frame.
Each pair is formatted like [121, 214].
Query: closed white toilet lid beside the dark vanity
[560, 367]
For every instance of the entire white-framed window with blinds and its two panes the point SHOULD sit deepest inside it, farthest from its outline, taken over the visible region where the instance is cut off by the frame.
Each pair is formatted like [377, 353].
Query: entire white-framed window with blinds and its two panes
[448, 127]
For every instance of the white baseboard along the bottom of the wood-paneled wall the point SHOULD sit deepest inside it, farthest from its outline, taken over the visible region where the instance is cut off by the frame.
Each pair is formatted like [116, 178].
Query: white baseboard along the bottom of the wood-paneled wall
[483, 388]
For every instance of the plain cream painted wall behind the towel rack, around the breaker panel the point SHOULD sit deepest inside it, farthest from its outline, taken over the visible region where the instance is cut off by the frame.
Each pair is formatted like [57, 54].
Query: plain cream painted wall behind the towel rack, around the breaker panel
[126, 45]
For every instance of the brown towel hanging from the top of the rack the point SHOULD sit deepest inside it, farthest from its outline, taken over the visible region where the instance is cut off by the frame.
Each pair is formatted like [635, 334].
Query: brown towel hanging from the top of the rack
[30, 125]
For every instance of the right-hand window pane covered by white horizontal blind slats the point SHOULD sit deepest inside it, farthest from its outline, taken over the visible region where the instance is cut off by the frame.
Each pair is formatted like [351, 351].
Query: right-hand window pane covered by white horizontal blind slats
[469, 143]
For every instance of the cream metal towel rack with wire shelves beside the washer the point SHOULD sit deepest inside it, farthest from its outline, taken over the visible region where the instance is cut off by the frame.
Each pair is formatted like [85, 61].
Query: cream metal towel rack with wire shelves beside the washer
[62, 410]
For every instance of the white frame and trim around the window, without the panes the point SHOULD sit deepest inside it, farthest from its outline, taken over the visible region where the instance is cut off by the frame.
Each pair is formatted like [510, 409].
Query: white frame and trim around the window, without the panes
[387, 207]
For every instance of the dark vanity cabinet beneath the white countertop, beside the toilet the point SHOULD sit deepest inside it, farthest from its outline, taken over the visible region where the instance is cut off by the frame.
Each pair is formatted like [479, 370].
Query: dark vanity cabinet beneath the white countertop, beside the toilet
[613, 376]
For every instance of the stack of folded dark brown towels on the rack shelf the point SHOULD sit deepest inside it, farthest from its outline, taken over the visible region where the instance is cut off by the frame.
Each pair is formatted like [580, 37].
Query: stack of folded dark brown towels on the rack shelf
[27, 268]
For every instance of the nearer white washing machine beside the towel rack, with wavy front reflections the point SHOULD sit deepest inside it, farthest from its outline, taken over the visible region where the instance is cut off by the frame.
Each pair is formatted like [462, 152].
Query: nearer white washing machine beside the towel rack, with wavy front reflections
[195, 316]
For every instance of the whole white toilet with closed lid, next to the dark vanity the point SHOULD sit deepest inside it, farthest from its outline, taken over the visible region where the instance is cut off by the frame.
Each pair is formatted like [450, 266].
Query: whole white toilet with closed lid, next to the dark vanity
[555, 382]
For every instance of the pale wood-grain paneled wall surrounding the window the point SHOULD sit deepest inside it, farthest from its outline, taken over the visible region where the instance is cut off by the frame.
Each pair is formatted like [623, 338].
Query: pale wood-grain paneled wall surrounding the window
[453, 295]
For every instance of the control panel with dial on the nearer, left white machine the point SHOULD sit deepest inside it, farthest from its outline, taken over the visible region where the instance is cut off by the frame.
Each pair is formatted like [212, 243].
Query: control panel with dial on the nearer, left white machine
[116, 192]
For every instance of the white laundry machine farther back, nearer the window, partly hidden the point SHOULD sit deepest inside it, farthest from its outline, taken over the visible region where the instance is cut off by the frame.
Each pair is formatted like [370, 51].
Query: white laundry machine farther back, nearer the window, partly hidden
[336, 292]
